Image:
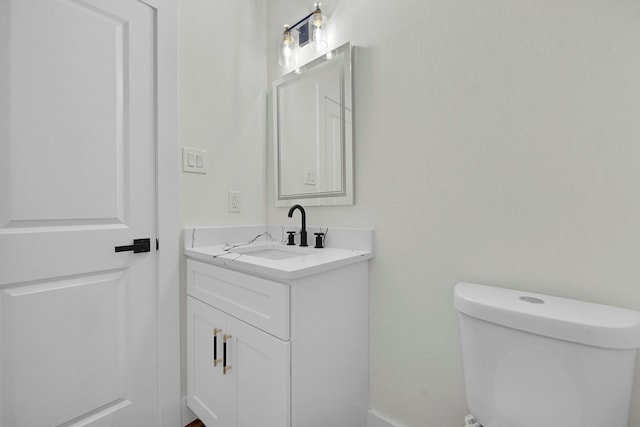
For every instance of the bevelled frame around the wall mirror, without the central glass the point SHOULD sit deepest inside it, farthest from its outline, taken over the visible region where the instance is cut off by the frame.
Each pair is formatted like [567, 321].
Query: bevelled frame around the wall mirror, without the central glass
[345, 194]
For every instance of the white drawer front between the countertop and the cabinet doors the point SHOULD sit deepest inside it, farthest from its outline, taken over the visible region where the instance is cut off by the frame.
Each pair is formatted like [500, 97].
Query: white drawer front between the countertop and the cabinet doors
[259, 302]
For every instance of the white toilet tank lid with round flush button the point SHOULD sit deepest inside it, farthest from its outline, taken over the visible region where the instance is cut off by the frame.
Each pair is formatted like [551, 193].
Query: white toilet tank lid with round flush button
[566, 319]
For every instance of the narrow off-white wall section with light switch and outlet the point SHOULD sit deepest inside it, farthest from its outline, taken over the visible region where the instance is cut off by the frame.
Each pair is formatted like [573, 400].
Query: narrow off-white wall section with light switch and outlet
[222, 91]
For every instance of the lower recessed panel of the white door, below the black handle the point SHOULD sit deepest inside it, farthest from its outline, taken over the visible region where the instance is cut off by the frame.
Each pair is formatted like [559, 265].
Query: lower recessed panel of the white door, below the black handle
[55, 355]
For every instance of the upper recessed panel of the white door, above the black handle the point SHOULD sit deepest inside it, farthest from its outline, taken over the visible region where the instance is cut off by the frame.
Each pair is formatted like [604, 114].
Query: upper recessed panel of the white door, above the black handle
[78, 107]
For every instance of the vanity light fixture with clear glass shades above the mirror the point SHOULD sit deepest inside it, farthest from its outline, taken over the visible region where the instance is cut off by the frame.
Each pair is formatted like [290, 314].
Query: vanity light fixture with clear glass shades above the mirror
[310, 29]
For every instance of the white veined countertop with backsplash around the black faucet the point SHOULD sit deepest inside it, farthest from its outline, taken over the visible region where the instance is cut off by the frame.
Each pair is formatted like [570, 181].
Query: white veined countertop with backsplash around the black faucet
[201, 245]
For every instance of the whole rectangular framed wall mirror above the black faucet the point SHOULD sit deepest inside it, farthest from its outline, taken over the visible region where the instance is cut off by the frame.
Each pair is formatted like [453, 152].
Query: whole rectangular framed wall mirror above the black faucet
[313, 132]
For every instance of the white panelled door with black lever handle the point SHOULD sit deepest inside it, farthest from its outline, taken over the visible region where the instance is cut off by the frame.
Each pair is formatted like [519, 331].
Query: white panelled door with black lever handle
[78, 335]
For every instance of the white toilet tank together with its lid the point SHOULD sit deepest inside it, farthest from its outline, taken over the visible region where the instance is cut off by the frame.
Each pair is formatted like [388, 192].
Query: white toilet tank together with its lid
[534, 360]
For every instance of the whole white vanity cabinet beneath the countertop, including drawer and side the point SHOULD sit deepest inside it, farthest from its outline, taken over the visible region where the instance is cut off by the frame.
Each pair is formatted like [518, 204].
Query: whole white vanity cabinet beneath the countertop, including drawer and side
[296, 350]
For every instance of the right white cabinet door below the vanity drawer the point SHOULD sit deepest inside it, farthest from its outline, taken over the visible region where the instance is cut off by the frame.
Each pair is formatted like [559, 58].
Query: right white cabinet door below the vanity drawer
[260, 364]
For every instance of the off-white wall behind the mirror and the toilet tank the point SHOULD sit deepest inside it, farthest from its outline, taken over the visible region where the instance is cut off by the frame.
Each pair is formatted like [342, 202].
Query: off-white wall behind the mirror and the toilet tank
[496, 142]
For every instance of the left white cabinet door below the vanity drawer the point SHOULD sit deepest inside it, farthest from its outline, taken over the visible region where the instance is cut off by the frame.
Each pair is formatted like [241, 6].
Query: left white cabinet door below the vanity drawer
[207, 386]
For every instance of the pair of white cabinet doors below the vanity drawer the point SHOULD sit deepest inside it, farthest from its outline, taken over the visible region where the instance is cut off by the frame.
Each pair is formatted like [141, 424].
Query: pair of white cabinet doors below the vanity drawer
[239, 374]
